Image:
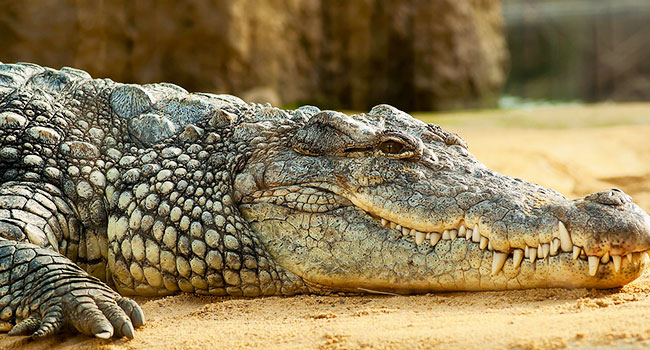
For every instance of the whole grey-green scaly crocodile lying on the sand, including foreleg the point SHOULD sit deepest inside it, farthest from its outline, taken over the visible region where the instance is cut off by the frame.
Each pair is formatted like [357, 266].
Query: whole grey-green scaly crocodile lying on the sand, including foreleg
[109, 190]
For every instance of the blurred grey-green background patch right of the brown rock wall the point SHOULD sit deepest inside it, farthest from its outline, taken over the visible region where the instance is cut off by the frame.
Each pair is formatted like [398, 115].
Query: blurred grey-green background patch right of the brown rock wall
[578, 50]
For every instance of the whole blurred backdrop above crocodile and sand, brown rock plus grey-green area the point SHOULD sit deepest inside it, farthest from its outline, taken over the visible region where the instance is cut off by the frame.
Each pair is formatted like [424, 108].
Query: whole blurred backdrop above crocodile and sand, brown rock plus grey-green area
[414, 54]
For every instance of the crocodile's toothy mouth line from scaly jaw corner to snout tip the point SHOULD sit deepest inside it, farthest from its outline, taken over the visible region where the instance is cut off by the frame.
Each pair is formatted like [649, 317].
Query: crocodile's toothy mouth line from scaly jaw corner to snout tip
[325, 198]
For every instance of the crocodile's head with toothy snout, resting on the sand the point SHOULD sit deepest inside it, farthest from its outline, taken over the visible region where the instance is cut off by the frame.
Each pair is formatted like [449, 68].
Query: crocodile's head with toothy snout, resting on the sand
[384, 202]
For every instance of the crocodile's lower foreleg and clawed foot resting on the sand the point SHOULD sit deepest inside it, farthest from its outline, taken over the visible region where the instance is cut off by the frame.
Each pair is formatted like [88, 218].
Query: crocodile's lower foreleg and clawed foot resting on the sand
[42, 292]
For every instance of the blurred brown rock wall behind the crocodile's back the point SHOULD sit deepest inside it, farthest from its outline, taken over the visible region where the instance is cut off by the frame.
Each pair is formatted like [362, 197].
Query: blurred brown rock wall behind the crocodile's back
[415, 54]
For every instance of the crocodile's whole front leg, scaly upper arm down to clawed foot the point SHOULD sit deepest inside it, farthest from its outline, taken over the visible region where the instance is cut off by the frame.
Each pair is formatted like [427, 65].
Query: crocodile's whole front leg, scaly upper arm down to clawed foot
[42, 291]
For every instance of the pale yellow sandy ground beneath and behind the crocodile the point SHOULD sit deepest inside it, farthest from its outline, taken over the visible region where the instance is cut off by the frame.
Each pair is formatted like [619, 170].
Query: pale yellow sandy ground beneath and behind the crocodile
[576, 150]
